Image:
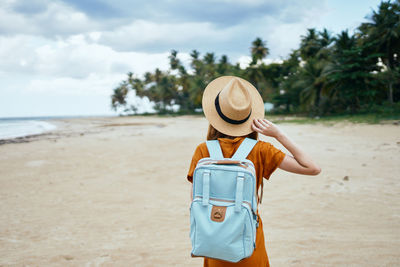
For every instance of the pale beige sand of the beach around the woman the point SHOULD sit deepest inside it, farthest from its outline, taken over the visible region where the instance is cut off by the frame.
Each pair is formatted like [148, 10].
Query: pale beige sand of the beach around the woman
[113, 192]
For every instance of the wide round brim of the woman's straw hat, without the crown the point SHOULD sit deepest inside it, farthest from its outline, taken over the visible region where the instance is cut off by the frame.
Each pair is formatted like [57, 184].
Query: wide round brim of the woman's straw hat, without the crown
[209, 109]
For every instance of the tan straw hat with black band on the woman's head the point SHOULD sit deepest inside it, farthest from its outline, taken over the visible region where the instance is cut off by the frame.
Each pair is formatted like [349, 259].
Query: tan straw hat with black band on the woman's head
[230, 104]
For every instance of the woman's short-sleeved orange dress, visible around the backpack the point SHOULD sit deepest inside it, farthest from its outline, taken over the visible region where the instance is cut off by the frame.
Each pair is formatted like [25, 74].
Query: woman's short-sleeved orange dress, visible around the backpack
[266, 159]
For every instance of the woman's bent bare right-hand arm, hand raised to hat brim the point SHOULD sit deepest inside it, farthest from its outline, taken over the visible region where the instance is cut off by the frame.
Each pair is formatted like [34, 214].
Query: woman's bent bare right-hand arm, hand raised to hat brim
[298, 163]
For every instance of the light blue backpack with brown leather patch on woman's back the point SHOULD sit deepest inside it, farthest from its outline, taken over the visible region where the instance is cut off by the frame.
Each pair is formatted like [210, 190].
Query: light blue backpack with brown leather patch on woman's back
[223, 213]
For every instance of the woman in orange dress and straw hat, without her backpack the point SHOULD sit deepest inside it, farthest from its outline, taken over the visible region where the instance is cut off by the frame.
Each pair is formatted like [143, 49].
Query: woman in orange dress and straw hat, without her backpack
[235, 110]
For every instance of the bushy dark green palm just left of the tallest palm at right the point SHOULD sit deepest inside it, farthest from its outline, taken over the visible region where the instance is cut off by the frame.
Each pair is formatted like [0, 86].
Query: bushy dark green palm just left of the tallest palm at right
[350, 83]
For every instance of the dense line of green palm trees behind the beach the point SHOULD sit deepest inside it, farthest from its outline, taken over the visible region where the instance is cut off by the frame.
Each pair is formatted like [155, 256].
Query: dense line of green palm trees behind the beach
[327, 74]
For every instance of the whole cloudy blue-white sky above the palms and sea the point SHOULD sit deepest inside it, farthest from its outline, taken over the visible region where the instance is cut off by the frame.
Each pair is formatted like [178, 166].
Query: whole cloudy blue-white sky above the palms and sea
[65, 57]
